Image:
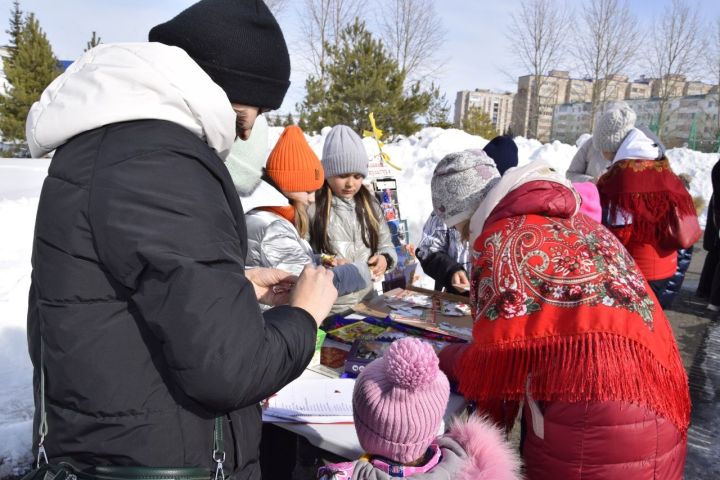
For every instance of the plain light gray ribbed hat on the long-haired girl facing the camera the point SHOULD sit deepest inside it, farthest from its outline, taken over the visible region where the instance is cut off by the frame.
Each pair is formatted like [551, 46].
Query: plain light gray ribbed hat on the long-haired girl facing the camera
[344, 153]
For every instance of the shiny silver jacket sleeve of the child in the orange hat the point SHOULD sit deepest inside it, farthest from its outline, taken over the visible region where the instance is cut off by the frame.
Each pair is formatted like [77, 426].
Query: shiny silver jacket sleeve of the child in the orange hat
[282, 248]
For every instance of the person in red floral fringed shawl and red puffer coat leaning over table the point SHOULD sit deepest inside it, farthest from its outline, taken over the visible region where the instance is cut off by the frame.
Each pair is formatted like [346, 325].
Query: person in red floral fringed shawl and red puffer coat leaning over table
[564, 325]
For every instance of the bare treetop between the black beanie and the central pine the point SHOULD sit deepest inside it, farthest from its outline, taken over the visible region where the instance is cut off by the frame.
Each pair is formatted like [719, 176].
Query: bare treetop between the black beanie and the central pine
[321, 22]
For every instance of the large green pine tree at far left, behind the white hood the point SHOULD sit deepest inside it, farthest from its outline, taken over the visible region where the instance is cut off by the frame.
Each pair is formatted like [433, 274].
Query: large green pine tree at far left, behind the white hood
[28, 74]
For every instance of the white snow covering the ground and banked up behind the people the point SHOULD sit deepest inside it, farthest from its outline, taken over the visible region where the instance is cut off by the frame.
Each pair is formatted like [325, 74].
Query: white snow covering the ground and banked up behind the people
[21, 180]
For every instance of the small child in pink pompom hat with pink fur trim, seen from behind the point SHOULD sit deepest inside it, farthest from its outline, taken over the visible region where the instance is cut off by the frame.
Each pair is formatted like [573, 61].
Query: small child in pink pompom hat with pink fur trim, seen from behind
[398, 403]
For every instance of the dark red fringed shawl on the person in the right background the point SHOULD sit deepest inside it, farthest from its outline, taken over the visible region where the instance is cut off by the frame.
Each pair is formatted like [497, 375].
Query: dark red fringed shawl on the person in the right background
[649, 192]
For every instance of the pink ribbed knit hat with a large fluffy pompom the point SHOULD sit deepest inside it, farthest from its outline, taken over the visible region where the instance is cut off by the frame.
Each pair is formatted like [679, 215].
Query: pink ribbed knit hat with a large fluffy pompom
[399, 401]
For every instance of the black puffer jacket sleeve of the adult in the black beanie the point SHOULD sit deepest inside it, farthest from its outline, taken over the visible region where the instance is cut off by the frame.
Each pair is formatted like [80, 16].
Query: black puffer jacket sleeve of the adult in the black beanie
[171, 240]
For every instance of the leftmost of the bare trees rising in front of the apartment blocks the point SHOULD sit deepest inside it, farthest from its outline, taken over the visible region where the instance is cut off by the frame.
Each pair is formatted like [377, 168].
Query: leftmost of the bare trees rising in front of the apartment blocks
[536, 36]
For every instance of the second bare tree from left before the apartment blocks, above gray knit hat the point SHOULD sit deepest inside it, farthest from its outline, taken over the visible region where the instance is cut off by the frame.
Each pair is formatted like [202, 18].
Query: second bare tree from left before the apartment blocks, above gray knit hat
[607, 40]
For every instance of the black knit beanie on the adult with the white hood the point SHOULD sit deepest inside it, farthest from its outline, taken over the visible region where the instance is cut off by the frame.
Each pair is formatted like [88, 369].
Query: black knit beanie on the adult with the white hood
[238, 43]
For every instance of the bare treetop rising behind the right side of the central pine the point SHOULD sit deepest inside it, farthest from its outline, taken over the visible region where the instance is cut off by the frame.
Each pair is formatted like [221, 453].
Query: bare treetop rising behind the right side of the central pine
[413, 34]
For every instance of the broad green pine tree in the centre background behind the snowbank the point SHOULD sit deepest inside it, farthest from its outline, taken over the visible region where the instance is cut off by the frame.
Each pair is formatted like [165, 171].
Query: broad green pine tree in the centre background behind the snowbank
[360, 77]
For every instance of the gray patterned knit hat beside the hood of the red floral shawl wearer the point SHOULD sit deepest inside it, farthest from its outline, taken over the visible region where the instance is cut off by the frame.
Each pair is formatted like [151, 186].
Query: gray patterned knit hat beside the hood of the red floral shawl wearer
[459, 184]
